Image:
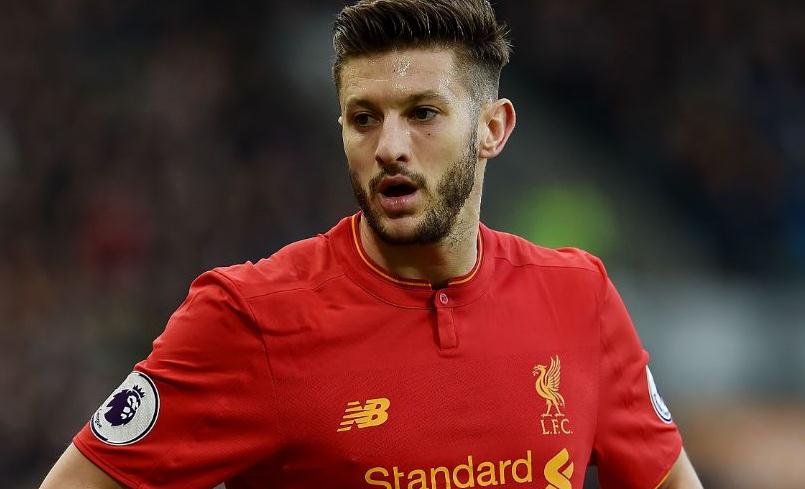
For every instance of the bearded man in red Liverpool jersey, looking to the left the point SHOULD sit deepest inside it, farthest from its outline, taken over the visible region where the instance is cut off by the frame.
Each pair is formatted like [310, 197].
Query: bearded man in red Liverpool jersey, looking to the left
[410, 346]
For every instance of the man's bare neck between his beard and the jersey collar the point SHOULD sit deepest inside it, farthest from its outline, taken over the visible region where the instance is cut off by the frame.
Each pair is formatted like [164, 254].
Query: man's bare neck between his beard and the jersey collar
[453, 256]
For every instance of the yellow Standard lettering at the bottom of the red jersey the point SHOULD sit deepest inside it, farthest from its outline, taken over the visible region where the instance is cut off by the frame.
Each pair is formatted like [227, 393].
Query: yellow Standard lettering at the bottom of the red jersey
[461, 476]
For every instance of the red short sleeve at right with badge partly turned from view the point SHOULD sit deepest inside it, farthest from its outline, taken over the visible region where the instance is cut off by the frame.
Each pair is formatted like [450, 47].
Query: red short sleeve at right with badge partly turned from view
[636, 441]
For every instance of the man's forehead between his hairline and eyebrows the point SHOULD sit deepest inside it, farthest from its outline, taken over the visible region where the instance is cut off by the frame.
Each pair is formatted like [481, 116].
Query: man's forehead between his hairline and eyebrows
[399, 74]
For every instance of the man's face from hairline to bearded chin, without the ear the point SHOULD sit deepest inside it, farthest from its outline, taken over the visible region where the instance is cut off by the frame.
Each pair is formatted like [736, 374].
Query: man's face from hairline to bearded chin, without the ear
[409, 127]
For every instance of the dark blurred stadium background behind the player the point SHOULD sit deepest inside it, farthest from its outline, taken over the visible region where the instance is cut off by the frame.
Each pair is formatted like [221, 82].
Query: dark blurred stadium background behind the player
[142, 143]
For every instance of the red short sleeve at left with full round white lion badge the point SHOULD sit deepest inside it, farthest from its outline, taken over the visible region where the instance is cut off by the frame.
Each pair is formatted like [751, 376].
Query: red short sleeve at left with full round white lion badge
[200, 408]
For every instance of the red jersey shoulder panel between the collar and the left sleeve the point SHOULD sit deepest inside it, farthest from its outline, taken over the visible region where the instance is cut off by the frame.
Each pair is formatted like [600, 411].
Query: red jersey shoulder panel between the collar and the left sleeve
[304, 264]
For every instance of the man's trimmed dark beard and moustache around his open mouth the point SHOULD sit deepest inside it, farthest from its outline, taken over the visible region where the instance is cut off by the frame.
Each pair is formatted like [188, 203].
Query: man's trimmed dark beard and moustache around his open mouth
[443, 206]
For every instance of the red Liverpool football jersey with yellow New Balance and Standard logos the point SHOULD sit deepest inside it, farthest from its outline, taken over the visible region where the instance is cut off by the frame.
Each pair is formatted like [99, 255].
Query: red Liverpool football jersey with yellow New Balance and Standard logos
[317, 368]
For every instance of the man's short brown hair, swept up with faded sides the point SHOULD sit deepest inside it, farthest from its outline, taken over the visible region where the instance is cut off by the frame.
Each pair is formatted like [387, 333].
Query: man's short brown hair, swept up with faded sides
[467, 26]
